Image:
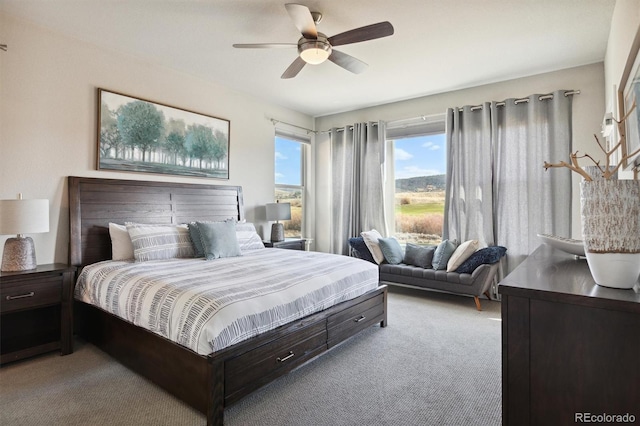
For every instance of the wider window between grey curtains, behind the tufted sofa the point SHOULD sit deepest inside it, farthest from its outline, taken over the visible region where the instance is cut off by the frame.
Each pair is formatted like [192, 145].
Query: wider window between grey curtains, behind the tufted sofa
[419, 171]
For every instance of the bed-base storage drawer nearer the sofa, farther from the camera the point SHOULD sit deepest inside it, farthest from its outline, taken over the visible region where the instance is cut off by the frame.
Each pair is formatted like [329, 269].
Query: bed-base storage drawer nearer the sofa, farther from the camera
[352, 320]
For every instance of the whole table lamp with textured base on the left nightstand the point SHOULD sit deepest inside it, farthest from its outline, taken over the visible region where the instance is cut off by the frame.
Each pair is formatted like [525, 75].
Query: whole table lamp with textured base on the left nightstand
[22, 217]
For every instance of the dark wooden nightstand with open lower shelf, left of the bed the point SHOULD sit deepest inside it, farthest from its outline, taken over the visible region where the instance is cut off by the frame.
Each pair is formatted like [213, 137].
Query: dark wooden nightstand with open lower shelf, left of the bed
[36, 309]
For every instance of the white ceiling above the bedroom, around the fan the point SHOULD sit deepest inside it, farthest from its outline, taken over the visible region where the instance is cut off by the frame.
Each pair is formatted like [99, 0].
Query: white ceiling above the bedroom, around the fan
[438, 45]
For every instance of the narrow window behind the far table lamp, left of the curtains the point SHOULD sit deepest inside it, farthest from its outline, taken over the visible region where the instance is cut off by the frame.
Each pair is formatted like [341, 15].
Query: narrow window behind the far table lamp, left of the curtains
[290, 161]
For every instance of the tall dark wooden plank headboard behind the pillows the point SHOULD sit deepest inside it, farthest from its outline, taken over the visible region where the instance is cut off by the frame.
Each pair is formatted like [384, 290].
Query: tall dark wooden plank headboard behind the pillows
[94, 202]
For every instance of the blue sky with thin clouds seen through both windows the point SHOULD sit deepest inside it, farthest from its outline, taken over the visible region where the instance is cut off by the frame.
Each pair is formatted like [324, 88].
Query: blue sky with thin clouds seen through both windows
[419, 156]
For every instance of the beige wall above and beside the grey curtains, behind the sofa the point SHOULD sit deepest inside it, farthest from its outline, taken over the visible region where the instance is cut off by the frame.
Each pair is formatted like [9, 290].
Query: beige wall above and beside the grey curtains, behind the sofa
[588, 110]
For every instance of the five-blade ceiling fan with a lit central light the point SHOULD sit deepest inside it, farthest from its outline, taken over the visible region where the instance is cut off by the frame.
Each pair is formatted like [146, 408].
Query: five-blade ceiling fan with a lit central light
[315, 47]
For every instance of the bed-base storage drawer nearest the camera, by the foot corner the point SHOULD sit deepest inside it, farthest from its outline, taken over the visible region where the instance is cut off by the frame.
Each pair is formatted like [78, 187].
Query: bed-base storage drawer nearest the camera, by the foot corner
[259, 366]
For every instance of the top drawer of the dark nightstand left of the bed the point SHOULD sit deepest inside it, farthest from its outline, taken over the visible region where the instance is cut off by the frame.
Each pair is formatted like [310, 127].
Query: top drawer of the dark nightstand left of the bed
[30, 293]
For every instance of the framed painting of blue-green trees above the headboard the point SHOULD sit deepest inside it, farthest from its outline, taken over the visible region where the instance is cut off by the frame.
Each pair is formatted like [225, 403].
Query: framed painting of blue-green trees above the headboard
[137, 135]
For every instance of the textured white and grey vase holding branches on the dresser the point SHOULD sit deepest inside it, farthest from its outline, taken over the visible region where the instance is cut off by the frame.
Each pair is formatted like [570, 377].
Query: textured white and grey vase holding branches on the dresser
[610, 211]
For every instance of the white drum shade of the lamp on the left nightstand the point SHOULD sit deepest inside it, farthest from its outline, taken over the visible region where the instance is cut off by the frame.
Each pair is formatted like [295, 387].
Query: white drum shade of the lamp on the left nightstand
[24, 216]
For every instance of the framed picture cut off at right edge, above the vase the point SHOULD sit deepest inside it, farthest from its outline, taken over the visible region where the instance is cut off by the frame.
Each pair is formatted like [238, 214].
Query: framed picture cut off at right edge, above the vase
[628, 93]
